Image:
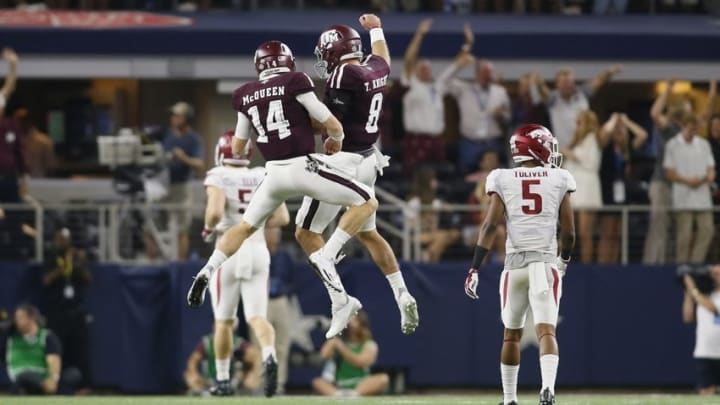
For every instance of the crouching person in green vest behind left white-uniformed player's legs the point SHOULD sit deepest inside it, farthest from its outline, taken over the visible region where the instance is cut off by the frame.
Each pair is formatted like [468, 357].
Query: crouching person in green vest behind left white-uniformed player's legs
[200, 372]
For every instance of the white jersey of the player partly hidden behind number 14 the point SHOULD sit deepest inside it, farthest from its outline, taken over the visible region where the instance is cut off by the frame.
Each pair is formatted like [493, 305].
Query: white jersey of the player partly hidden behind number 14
[238, 184]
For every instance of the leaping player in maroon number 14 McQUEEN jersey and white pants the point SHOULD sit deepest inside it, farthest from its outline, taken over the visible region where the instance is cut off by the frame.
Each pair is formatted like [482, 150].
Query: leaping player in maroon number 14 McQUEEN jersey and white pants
[279, 106]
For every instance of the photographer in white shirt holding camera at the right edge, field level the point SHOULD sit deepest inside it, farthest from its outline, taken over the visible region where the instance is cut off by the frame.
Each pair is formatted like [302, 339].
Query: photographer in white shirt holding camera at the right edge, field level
[703, 307]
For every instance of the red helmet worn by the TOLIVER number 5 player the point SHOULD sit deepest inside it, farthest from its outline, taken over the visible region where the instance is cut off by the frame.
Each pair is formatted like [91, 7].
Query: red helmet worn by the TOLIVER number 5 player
[535, 142]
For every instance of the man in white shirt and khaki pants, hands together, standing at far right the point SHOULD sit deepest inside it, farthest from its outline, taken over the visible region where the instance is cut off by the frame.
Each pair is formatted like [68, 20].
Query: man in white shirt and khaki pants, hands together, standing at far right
[690, 167]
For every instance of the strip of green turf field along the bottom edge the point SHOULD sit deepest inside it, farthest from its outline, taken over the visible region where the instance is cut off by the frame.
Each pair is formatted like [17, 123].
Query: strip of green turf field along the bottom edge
[594, 399]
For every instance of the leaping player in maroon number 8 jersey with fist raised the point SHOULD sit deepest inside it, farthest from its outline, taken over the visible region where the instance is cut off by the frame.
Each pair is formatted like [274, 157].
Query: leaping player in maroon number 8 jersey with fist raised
[354, 94]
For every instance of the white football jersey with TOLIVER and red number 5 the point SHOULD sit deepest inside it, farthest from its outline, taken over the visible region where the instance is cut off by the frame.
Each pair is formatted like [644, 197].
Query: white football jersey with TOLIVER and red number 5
[532, 197]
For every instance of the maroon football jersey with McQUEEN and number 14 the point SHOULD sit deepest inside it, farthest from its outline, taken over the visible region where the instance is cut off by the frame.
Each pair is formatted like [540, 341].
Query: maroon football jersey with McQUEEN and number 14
[282, 124]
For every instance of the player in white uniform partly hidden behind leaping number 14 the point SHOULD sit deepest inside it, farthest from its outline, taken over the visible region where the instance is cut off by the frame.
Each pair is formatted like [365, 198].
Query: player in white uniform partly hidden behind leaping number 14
[229, 187]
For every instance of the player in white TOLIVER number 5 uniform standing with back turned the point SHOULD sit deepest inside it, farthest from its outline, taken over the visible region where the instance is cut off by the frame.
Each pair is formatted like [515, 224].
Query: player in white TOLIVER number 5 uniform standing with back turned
[531, 197]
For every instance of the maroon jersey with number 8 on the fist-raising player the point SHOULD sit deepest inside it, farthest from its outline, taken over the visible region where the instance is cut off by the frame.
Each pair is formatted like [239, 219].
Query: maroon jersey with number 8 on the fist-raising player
[354, 94]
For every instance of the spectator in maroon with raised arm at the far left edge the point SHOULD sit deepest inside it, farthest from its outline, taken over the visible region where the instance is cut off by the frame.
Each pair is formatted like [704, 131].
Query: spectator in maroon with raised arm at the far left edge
[12, 164]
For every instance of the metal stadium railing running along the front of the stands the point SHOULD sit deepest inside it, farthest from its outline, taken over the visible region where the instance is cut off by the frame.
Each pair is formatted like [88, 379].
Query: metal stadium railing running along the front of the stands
[116, 231]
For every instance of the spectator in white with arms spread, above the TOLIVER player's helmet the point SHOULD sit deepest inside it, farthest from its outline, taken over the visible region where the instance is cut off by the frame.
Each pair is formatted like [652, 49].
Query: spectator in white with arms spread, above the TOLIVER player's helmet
[567, 99]
